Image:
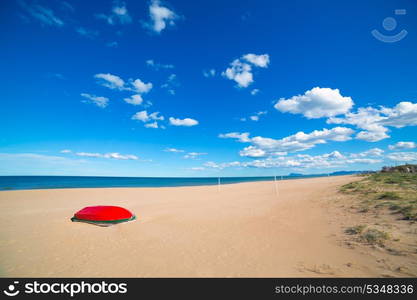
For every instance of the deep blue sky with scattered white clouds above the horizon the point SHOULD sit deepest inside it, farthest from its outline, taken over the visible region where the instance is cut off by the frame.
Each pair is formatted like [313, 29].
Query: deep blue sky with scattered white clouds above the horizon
[206, 88]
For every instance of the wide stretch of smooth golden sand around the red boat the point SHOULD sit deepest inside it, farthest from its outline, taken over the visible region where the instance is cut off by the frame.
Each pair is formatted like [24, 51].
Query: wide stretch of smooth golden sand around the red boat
[241, 230]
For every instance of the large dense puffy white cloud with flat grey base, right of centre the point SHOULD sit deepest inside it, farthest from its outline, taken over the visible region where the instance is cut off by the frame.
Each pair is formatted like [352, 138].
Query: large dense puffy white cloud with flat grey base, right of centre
[316, 103]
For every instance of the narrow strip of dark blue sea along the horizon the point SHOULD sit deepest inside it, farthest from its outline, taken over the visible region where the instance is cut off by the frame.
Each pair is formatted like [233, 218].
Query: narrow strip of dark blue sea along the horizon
[66, 182]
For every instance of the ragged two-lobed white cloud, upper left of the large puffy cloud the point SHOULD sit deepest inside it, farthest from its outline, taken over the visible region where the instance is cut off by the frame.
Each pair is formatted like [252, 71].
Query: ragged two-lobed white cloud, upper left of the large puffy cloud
[241, 72]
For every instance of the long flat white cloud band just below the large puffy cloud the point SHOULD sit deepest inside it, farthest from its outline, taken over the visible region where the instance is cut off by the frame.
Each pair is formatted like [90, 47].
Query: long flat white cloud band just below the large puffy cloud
[297, 142]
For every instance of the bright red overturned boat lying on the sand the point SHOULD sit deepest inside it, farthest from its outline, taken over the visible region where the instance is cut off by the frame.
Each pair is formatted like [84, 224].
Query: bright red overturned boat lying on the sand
[103, 213]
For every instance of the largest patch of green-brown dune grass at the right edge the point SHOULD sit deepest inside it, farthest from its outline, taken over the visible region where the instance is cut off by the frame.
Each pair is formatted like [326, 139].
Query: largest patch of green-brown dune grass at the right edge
[395, 191]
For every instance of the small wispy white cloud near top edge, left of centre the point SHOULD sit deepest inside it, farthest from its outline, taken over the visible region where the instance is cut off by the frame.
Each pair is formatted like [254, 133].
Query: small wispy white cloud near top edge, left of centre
[161, 17]
